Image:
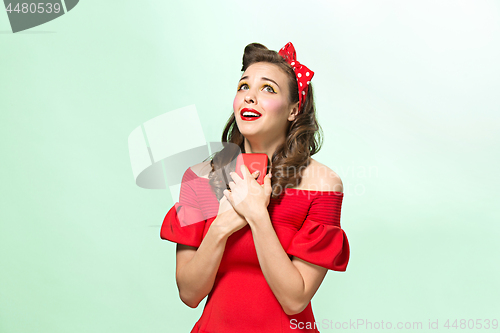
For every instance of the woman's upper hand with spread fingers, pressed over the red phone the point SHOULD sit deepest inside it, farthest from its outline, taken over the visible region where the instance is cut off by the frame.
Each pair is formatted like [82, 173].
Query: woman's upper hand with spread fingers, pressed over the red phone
[248, 197]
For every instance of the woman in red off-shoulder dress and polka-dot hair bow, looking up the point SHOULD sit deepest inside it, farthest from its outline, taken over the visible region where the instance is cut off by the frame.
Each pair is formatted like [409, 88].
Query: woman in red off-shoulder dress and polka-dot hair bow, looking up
[260, 252]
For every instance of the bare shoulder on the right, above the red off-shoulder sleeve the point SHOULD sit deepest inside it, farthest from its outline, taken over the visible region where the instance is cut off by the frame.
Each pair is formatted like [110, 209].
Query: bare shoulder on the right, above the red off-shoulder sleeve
[319, 177]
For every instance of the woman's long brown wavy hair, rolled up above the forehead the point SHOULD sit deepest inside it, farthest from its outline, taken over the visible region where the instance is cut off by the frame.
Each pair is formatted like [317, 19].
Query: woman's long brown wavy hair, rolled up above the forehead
[303, 138]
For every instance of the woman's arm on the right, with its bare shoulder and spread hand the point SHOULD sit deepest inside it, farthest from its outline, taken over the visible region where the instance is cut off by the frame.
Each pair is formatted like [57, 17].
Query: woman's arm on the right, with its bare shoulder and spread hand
[293, 282]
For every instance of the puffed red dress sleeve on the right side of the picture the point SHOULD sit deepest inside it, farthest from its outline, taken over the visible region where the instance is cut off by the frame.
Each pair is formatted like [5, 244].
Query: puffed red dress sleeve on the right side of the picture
[320, 240]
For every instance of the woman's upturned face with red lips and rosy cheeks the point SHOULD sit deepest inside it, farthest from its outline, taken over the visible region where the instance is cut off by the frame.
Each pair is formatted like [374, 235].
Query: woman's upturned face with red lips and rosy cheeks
[263, 89]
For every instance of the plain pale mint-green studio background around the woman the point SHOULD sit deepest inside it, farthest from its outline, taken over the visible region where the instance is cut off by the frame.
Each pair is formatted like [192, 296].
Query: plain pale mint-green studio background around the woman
[406, 94]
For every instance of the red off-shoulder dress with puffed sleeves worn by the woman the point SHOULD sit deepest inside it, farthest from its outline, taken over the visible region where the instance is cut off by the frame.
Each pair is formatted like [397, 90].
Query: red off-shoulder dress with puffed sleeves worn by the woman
[307, 224]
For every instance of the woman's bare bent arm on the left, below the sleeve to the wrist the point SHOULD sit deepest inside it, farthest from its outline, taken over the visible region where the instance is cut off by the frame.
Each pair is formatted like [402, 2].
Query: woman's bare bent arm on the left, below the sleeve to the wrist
[196, 268]
